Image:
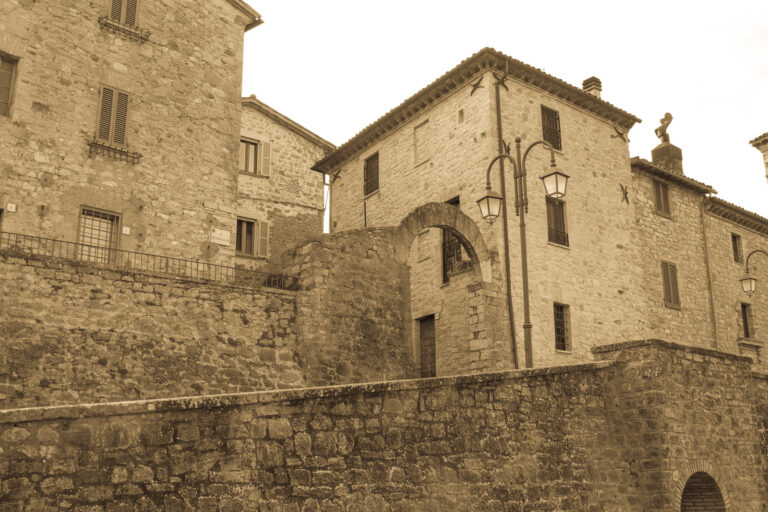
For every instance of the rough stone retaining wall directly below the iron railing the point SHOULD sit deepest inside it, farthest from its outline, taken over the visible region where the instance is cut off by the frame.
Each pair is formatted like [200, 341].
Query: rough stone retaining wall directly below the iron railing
[74, 333]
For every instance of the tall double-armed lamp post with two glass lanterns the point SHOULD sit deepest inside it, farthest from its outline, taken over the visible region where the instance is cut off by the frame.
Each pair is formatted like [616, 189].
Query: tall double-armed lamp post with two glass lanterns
[490, 206]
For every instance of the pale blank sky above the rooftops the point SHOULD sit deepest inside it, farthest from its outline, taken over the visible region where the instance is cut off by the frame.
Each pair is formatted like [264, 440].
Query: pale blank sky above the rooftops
[336, 66]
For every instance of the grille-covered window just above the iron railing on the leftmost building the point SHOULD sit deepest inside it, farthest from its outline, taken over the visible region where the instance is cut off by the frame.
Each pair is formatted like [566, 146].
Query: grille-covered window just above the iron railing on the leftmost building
[97, 235]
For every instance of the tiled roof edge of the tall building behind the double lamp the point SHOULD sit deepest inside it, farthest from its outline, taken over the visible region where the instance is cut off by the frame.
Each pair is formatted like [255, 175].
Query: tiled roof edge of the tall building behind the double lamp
[485, 59]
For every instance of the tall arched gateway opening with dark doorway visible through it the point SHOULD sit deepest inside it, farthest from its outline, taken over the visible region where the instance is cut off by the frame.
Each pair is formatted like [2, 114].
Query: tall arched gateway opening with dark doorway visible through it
[452, 318]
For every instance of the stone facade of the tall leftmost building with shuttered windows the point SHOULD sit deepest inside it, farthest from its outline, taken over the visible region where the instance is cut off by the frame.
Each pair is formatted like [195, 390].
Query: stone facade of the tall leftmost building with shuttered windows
[183, 116]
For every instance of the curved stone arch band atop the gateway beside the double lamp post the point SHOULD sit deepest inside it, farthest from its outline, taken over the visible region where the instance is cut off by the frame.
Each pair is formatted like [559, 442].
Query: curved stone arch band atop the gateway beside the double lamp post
[445, 216]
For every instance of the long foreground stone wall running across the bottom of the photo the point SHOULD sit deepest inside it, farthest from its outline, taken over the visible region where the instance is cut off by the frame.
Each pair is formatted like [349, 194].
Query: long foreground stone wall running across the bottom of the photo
[615, 435]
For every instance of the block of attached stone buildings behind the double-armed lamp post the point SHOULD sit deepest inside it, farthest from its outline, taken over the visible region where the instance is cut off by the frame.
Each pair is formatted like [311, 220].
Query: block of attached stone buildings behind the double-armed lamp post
[635, 249]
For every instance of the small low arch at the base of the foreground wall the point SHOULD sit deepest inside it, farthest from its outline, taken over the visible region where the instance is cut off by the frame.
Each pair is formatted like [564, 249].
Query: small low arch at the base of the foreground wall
[700, 492]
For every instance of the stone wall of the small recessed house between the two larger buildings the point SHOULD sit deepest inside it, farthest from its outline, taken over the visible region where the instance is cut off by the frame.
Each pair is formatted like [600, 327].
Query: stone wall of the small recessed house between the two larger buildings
[290, 199]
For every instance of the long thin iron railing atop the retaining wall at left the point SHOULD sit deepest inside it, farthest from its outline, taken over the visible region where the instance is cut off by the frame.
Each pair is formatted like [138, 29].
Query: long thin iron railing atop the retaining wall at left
[142, 262]
